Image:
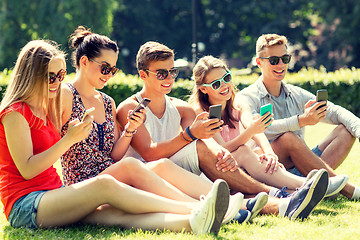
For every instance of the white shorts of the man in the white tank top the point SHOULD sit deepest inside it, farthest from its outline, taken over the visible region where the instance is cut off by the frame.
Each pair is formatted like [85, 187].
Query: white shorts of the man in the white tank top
[187, 158]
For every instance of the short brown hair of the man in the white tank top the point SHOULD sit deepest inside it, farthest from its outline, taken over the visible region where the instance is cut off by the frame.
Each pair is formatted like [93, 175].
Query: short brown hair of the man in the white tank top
[152, 51]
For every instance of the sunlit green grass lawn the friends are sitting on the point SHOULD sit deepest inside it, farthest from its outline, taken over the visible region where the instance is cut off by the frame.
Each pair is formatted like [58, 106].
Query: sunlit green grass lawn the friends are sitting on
[337, 219]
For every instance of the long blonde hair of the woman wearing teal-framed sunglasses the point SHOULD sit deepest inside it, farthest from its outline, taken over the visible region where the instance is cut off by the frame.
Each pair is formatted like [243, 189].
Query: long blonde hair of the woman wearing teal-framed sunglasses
[200, 71]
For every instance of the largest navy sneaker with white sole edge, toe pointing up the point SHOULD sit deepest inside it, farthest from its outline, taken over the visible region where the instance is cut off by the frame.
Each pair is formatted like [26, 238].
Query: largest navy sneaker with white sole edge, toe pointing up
[305, 199]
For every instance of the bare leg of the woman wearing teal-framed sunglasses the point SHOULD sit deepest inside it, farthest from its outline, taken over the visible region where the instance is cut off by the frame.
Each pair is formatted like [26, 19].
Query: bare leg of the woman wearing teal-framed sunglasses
[248, 160]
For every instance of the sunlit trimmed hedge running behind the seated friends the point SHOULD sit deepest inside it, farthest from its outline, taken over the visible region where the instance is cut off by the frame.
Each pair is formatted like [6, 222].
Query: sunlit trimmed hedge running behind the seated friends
[337, 83]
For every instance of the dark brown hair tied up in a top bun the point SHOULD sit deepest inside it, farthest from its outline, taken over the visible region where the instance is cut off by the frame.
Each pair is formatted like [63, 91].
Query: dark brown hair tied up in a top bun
[89, 44]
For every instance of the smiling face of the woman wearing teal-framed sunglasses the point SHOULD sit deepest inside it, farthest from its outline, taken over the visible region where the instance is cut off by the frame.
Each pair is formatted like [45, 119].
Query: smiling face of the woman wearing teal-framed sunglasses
[221, 95]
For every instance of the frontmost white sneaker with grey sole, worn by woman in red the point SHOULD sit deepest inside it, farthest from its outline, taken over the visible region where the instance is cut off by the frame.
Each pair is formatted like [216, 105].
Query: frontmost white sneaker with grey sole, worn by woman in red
[209, 214]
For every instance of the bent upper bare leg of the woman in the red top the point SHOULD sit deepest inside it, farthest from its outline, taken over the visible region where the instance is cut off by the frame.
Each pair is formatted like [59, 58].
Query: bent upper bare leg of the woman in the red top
[71, 204]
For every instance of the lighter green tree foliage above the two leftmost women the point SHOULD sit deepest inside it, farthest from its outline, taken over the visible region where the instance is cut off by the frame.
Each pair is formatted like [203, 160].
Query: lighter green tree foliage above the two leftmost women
[23, 20]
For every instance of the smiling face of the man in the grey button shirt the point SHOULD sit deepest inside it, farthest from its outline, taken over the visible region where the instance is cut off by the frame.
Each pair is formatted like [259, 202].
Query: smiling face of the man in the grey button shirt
[273, 73]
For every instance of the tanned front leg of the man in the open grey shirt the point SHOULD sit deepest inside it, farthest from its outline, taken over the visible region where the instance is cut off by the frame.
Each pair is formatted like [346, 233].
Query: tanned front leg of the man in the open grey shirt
[293, 151]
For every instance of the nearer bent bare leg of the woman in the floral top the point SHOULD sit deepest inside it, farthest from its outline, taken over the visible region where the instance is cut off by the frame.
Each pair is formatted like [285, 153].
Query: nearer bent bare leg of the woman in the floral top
[133, 172]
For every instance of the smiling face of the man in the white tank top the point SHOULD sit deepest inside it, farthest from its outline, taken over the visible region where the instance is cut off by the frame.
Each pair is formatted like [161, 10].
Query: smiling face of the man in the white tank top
[159, 86]
